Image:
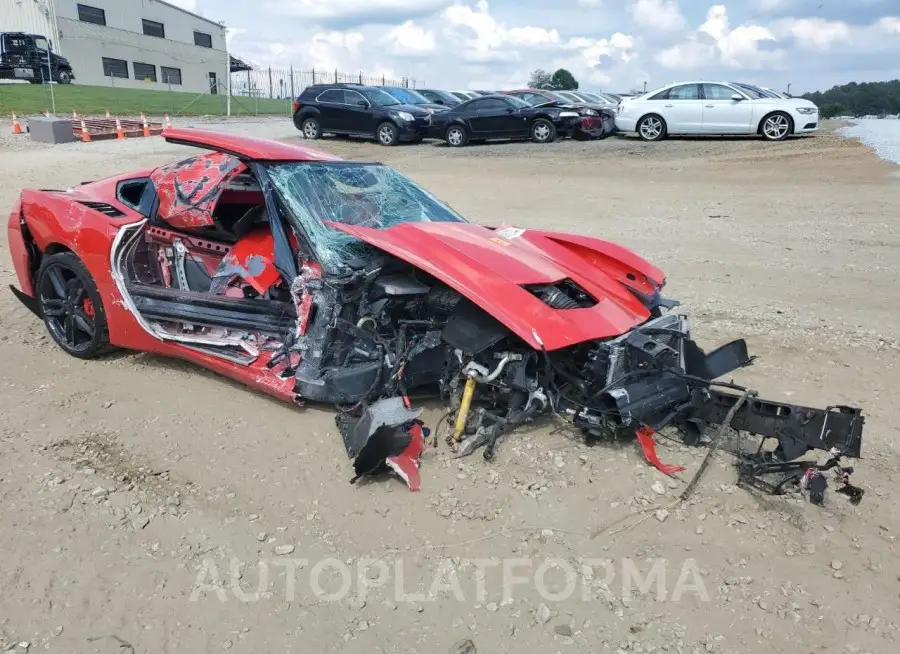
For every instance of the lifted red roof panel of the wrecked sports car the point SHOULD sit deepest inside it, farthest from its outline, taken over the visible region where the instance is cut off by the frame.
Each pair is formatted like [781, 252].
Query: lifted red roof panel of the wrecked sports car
[246, 148]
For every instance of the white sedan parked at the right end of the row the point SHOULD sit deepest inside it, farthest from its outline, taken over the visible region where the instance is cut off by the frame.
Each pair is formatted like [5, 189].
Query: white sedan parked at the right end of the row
[715, 108]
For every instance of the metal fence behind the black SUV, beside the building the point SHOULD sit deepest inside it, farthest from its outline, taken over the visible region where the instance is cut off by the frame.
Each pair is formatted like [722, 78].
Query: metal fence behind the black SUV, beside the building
[287, 83]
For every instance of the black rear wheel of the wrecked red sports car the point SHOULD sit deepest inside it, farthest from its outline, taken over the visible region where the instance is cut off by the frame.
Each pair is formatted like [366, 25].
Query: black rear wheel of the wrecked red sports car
[71, 306]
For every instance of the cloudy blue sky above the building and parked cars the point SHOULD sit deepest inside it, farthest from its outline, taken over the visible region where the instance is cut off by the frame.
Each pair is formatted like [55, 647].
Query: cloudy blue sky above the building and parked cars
[614, 45]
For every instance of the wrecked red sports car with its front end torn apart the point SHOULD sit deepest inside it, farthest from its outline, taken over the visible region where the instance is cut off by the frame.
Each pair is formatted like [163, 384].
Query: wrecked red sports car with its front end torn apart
[317, 279]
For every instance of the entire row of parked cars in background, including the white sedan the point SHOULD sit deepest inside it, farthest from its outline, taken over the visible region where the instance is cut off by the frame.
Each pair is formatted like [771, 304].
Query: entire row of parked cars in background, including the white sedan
[394, 114]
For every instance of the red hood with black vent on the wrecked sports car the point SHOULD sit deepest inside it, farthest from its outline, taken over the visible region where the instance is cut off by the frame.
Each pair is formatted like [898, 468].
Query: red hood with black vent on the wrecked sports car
[489, 267]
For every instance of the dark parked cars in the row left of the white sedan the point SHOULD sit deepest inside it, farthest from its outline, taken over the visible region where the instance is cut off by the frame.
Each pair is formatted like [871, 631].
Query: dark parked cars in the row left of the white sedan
[394, 114]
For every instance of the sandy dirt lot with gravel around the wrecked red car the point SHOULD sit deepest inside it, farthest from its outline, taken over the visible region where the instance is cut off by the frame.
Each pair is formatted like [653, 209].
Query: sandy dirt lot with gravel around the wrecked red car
[126, 482]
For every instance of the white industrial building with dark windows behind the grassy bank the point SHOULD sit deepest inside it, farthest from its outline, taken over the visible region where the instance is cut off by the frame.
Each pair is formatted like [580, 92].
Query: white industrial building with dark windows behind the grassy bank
[127, 43]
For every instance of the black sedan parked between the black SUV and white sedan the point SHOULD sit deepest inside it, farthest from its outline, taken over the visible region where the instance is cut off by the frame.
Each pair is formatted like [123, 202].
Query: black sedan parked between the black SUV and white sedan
[502, 117]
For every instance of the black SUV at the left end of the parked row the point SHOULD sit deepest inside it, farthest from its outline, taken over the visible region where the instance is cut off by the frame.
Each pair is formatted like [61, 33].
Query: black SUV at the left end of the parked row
[357, 110]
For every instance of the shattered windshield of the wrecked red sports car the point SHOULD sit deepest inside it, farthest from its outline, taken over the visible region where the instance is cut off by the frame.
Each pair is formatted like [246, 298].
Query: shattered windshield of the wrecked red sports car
[360, 194]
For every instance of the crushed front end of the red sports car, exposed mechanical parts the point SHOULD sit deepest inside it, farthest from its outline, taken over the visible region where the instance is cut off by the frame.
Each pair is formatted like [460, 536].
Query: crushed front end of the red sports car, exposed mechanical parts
[652, 377]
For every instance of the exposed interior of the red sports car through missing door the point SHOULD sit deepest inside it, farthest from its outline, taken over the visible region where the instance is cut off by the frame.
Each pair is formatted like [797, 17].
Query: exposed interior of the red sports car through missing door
[188, 285]
